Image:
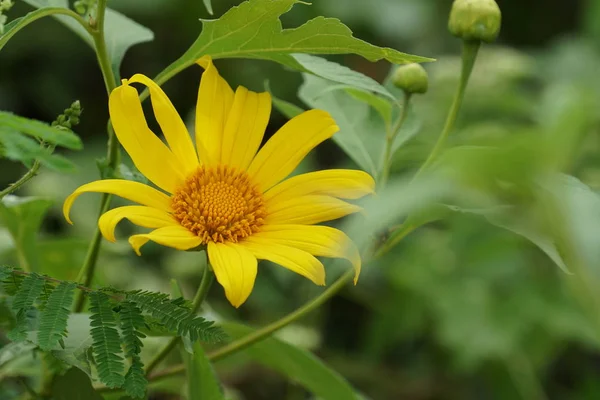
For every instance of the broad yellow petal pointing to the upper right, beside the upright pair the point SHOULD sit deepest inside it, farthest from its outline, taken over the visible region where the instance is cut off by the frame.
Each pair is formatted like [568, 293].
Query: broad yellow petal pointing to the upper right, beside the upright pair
[284, 151]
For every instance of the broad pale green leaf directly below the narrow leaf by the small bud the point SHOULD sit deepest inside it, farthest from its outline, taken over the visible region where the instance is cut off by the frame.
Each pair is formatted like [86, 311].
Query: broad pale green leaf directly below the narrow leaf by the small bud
[361, 136]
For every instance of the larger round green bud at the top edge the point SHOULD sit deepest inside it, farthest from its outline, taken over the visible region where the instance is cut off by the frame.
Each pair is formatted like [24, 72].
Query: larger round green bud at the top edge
[475, 20]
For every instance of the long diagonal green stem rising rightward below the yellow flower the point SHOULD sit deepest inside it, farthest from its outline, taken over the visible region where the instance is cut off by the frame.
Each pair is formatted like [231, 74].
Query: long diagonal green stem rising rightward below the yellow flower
[267, 330]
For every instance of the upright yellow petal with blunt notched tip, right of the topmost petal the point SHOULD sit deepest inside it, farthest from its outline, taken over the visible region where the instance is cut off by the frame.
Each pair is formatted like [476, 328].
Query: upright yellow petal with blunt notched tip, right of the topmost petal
[245, 127]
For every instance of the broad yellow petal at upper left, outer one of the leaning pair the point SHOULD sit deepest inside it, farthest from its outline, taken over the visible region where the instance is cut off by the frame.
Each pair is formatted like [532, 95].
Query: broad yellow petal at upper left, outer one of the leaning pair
[149, 154]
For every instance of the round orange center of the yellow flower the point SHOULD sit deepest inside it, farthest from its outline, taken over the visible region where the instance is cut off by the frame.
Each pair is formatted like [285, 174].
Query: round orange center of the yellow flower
[219, 204]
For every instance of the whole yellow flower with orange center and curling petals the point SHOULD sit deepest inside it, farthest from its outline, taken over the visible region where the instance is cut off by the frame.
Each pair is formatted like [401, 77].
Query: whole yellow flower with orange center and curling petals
[225, 193]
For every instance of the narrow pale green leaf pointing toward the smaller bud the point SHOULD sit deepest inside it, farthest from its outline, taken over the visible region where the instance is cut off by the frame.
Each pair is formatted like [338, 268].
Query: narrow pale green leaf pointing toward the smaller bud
[341, 74]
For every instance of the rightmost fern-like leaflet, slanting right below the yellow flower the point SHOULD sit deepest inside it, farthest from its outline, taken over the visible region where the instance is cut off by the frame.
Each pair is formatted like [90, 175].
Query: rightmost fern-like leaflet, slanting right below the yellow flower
[176, 316]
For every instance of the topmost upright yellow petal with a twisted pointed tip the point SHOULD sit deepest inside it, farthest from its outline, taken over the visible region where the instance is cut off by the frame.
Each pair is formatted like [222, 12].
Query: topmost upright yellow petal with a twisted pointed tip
[214, 102]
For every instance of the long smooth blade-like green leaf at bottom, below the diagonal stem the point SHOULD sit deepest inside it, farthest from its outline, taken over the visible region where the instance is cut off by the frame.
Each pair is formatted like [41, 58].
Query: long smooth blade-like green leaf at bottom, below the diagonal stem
[297, 364]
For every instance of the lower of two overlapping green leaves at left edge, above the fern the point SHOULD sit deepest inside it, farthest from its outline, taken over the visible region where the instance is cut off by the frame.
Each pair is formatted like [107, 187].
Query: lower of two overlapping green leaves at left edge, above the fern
[25, 150]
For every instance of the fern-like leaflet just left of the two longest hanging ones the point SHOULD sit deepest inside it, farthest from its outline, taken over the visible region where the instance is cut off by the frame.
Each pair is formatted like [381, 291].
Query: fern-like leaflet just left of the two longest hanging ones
[53, 321]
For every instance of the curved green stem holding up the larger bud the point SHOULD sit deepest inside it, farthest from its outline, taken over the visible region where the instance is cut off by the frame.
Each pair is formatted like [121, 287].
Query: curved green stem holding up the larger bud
[469, 55]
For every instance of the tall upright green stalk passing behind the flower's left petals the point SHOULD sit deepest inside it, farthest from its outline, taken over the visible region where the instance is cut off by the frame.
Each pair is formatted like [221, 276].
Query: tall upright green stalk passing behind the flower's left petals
[86, 273]
